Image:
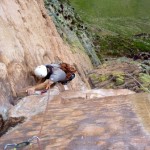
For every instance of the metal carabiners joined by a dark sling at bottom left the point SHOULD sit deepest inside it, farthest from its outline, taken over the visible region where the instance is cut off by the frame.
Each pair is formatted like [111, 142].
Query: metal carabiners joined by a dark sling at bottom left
[30, 141]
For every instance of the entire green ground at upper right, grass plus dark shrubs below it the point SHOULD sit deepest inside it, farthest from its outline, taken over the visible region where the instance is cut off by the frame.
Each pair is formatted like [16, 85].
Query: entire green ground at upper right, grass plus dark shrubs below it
[114, 24]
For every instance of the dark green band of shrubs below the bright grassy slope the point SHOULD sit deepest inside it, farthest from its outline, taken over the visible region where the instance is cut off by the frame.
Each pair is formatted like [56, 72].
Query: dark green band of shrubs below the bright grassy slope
[121, 45]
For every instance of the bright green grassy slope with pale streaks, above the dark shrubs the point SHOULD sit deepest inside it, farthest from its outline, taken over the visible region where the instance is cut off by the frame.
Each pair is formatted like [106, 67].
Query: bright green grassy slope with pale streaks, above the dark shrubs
[119, 16]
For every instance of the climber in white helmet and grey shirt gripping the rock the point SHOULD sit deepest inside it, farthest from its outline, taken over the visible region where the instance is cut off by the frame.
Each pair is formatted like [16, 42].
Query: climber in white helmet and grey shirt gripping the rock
[51, 74]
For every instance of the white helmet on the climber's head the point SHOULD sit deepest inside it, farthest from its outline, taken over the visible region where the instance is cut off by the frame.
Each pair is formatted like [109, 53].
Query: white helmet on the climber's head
[40, 71]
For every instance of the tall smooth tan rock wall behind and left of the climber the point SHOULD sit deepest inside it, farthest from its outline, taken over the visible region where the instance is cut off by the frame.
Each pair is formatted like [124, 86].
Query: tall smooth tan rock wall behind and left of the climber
[29, 38]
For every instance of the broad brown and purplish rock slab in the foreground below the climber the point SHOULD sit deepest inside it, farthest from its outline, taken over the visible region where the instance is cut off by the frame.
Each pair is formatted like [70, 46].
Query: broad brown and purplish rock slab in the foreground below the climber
[87, 123]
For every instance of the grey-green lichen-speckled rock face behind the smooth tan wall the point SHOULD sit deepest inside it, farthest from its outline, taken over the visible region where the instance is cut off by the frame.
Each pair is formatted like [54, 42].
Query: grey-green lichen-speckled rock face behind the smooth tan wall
[71, 27]
